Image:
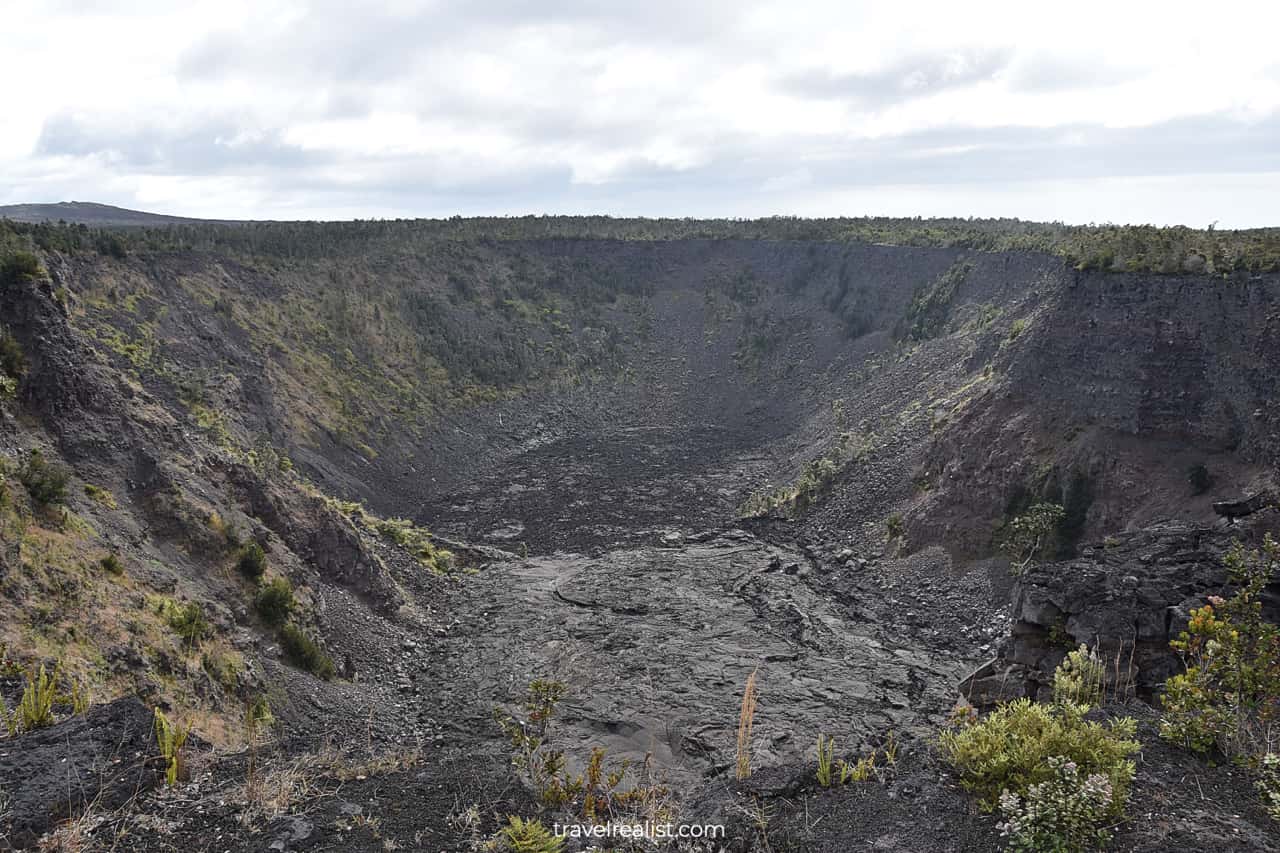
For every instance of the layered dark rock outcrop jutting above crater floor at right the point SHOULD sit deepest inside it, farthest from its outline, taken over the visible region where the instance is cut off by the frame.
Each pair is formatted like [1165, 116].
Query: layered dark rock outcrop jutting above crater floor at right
[1127, 599]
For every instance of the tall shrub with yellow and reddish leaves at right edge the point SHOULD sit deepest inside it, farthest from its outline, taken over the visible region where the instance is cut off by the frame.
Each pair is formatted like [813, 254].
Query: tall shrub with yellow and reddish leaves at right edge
[1229, 696]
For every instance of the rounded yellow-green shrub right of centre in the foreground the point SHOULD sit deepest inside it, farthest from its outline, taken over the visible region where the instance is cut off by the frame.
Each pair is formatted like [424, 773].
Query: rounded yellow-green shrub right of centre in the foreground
[1011, 750]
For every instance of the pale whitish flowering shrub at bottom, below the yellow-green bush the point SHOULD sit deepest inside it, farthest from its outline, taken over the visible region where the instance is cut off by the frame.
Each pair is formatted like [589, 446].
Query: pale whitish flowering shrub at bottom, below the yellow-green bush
[1066, 814]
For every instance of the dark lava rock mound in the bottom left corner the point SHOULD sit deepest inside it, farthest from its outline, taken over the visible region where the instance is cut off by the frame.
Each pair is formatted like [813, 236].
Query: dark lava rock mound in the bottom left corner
[104, 758]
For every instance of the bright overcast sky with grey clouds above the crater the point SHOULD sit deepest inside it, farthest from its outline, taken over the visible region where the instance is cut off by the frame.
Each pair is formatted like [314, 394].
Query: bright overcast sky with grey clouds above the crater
[1126, 111]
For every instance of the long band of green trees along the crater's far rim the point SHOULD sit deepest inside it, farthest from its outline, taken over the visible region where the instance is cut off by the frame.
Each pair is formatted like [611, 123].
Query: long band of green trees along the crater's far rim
[1146, 249]
